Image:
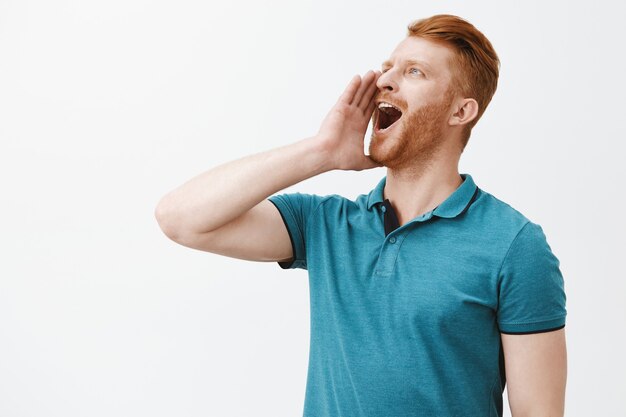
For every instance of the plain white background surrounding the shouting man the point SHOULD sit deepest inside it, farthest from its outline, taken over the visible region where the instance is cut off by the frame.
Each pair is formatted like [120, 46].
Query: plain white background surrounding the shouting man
[107, 106]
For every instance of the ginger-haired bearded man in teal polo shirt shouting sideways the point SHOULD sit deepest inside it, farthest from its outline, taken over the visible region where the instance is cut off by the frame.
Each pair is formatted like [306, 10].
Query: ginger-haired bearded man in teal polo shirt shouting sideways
[428, 294]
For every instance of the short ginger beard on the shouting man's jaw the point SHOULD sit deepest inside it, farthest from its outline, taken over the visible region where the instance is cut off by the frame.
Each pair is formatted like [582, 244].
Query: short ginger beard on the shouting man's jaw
[412, 145]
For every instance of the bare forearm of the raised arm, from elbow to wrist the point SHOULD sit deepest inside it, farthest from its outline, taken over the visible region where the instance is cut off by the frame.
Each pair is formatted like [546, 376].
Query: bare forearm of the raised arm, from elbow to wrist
[221, 194]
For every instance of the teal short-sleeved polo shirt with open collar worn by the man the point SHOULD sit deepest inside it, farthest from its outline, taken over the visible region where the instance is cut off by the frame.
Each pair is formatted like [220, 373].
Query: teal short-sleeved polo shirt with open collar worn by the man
[406, 321]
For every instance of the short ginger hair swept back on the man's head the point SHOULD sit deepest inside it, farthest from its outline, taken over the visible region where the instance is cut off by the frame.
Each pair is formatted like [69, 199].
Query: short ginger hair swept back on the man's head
[475, 64]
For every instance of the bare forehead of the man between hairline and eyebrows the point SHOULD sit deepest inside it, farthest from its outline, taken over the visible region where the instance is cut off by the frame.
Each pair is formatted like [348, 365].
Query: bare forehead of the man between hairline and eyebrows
[433, 55]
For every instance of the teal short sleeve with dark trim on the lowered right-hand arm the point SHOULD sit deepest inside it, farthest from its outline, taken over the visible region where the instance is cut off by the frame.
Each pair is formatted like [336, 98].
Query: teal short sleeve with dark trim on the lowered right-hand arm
[532, 294]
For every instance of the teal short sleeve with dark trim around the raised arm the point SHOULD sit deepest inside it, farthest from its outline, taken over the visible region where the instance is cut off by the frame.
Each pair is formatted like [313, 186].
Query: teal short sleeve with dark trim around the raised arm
[296, 209]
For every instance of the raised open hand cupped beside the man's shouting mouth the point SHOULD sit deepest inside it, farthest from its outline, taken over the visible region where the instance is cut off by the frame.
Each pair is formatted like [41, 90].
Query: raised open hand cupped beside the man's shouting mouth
[343, 130]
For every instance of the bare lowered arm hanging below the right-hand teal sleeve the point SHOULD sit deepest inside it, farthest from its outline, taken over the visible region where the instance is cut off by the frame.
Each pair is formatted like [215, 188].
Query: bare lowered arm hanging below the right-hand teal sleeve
[536, 373]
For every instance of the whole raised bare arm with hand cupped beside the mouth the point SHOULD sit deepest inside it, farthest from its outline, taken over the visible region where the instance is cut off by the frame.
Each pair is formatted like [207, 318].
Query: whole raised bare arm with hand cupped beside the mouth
[224, 210]
